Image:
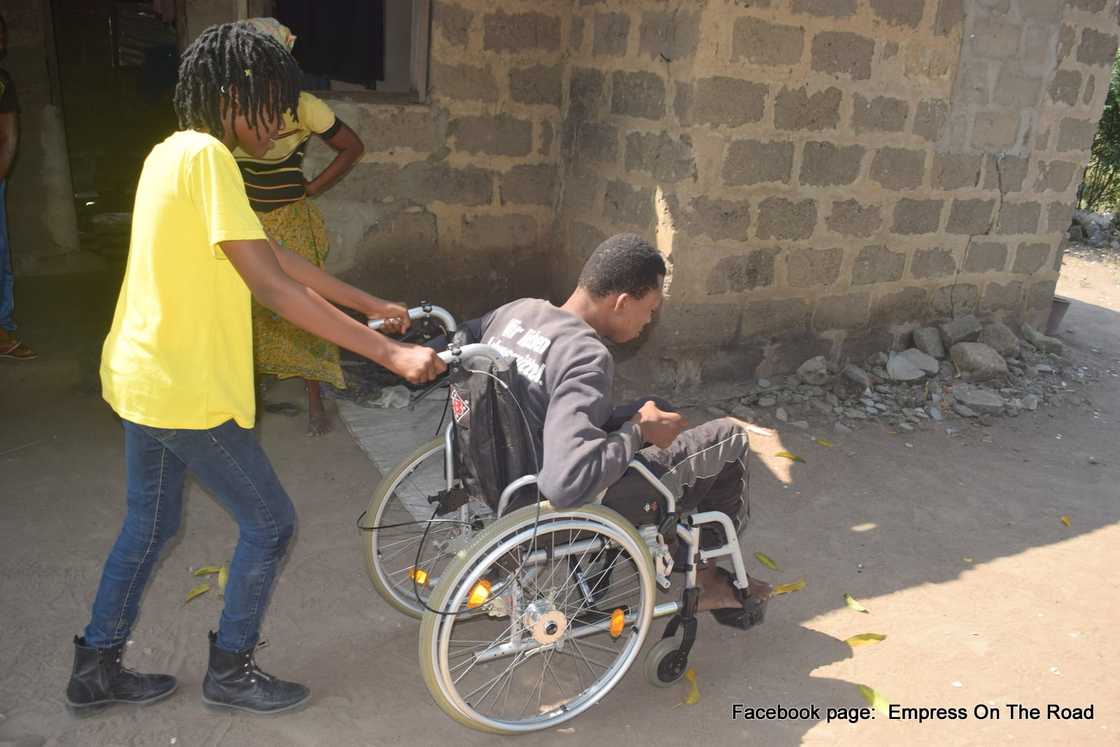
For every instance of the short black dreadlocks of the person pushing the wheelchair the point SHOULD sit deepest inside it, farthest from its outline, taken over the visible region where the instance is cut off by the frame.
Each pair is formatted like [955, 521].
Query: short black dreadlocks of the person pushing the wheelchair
[235, 66]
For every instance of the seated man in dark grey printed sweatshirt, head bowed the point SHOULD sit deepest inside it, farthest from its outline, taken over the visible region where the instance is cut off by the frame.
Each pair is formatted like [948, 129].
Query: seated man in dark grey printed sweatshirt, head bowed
[565, 376]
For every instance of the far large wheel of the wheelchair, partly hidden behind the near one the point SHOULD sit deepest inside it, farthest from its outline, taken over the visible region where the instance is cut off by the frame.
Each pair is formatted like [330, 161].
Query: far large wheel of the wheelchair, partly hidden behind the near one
[402, 505]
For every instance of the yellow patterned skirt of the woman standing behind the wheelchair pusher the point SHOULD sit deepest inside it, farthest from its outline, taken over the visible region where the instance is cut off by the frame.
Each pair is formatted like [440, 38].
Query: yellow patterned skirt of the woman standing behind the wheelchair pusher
[281, 348]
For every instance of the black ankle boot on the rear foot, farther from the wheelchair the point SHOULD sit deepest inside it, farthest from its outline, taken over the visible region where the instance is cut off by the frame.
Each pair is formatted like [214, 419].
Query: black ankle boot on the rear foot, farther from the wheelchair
[99, 678]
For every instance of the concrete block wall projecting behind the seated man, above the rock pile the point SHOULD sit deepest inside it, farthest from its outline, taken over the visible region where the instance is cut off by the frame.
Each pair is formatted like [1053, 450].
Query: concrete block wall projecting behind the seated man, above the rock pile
[825, 175]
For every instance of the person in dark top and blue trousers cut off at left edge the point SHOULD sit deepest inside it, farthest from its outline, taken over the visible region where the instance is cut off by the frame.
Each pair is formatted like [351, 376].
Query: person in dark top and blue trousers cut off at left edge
[11, 347]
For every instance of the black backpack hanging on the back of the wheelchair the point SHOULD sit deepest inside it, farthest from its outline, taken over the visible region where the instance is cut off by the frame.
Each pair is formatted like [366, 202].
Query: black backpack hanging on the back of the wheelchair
[493, 443]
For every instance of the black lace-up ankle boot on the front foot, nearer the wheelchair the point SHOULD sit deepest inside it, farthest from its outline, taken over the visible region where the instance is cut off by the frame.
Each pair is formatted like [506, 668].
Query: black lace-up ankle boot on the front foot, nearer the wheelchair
[236, 681]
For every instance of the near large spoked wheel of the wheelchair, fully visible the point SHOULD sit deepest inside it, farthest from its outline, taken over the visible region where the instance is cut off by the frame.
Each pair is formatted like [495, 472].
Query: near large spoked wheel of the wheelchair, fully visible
[540, 619]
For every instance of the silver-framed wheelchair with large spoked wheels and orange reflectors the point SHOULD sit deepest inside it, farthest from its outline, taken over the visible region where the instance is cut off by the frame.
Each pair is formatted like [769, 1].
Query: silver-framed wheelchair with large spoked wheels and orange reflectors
[531, 615]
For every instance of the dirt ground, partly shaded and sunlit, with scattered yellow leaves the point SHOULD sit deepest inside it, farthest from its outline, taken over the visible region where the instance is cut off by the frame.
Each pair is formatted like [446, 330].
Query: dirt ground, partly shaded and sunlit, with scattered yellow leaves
[954, 544]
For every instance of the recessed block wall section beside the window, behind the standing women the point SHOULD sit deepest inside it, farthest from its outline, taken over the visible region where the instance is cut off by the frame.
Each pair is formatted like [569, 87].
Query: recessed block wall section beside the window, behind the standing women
[455, 201]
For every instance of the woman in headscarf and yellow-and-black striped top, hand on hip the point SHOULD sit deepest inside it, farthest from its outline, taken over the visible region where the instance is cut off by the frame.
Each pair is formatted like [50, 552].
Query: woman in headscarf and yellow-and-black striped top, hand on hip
[279, 194]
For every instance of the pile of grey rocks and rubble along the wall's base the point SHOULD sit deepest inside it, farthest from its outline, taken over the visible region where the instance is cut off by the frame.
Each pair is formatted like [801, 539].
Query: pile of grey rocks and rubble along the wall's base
[960, 368]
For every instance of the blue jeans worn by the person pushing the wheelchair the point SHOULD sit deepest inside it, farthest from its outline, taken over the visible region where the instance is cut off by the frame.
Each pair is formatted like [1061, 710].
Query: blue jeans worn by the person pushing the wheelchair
[229, 463]
